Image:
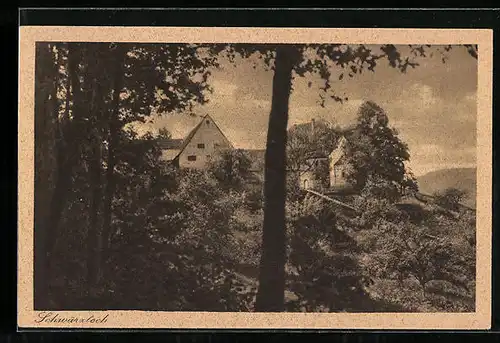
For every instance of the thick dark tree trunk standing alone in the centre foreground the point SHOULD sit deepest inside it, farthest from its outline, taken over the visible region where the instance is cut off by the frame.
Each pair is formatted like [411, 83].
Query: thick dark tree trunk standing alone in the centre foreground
[271, 291]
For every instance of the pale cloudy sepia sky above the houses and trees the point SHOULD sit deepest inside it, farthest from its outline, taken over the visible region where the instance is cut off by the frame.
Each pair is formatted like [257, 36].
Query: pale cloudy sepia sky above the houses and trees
[433, 106]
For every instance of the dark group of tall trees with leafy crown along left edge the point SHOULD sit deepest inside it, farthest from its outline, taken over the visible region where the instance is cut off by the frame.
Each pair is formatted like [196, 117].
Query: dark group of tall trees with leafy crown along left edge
[86, 93]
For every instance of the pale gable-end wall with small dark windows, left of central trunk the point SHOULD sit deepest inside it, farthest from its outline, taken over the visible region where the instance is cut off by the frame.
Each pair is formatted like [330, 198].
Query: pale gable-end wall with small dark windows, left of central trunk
[195, 156]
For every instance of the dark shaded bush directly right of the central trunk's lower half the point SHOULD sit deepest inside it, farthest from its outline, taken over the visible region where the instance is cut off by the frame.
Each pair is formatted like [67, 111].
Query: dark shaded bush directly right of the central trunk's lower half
[325, 274]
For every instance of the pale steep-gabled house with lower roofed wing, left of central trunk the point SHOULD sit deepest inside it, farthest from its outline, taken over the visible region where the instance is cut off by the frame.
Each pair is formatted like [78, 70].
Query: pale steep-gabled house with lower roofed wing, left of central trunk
[194, 151]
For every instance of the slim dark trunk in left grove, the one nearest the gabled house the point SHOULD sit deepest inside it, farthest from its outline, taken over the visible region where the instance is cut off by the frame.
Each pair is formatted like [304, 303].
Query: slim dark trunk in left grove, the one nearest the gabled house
[113, 127]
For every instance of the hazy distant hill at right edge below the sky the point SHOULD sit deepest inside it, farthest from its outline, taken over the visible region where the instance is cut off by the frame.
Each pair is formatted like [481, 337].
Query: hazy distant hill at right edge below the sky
[461, 178]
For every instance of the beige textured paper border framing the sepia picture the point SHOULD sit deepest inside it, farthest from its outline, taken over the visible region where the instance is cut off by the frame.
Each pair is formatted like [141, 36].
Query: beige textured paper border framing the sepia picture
[27, 317]
